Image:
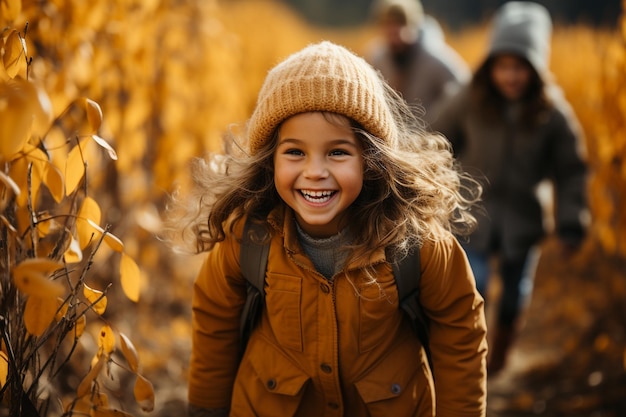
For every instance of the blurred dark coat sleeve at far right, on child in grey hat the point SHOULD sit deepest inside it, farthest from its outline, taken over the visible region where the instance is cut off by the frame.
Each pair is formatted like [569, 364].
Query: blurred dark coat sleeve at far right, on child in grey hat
[570, 176]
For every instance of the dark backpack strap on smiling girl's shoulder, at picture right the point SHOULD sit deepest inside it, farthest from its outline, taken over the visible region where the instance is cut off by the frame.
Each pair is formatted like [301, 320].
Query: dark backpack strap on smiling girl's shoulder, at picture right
[407, 273]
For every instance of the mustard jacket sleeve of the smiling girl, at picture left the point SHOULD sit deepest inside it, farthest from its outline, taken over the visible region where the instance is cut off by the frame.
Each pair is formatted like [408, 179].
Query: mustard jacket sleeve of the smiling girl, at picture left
[219, 293]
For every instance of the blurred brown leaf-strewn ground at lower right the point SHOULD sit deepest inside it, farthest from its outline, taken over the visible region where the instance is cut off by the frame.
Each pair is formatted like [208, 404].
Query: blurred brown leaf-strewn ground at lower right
[569, 356]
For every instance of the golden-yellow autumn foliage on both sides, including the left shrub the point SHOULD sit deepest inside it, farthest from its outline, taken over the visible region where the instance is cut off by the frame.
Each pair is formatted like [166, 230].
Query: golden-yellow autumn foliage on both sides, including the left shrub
[102, 105]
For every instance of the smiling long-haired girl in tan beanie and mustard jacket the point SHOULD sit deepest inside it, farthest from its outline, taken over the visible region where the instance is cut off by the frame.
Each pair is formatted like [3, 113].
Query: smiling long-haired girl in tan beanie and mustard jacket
[345, 181]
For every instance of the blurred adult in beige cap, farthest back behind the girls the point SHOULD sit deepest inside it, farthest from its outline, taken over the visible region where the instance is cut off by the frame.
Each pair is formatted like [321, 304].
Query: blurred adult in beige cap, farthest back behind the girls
[413, 56]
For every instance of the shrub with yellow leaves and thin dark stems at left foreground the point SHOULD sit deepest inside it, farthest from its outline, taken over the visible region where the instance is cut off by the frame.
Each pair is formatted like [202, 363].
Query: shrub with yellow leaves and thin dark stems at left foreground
[50, 231]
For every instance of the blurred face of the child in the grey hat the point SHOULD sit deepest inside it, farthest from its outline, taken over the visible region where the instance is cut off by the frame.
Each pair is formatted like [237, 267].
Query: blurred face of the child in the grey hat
[511, 75]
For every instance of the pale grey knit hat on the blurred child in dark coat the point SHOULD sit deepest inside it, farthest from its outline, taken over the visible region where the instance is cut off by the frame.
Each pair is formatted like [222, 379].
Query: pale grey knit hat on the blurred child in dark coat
[524, 29]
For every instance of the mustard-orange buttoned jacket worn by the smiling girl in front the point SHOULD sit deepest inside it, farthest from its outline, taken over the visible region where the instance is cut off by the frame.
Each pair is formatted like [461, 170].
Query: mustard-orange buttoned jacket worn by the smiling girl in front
[337, 348]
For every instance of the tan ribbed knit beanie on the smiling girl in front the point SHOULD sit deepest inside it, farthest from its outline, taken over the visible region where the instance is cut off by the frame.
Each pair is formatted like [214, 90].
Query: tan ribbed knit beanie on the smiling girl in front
[321, 77]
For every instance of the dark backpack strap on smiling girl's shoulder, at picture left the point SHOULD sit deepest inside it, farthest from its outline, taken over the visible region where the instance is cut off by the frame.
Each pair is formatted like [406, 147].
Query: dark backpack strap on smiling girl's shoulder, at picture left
[253, 256]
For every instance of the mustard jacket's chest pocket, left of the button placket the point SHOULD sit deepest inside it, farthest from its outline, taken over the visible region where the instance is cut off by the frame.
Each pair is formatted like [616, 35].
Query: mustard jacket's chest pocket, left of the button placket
[283, 299]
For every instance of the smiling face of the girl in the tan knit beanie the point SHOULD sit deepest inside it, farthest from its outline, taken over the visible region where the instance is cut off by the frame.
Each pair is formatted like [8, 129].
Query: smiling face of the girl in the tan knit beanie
[318, 170]
